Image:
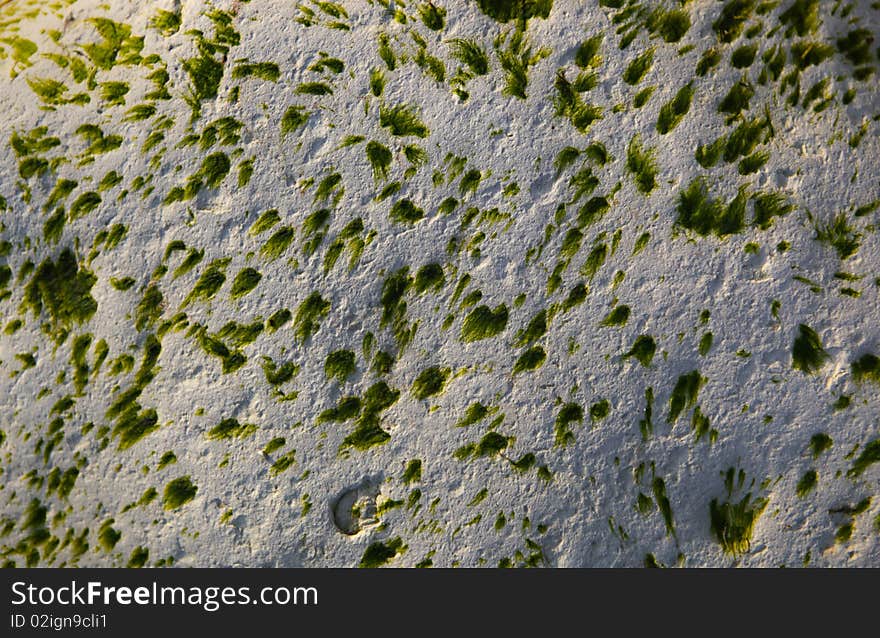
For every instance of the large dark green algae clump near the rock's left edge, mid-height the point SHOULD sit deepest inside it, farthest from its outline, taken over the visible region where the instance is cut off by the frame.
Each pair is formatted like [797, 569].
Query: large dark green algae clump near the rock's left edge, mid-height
[63, 289]
